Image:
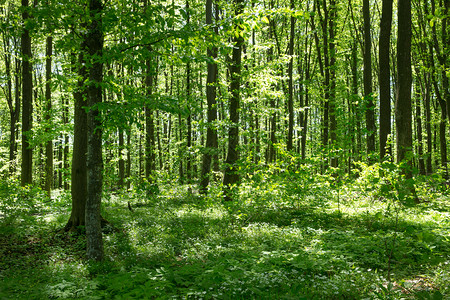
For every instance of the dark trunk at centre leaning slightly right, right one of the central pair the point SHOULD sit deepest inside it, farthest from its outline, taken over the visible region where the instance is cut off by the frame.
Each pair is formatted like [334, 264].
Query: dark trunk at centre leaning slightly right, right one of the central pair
[231, 176]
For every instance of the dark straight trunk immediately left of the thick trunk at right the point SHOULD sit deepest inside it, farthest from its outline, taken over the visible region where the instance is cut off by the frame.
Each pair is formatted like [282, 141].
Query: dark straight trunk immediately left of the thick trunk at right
[384, 77]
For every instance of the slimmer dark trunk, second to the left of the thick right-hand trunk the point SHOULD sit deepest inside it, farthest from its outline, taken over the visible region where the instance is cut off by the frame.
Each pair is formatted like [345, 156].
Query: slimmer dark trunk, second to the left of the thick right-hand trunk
[368, 96]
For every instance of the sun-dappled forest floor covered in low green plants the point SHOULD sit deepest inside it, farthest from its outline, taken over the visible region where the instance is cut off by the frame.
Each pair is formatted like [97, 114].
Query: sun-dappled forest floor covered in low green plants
[280, 239]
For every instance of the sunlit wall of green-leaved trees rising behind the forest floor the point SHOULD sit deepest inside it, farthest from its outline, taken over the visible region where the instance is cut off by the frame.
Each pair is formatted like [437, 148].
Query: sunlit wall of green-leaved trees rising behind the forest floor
[236, 88]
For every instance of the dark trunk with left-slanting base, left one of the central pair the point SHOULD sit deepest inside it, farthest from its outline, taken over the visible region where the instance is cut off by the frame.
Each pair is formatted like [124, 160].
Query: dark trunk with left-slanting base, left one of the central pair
[211, 81]
